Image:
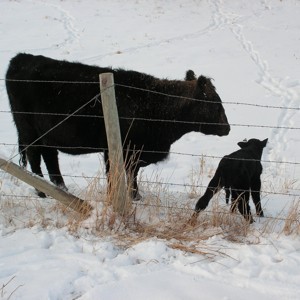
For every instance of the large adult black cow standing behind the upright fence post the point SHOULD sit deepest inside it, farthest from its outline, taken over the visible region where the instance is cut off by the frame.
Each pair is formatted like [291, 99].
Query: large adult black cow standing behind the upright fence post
[42, 92]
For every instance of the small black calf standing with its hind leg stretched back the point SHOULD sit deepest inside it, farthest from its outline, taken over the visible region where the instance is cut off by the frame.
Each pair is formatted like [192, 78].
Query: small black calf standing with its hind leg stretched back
[239, 173]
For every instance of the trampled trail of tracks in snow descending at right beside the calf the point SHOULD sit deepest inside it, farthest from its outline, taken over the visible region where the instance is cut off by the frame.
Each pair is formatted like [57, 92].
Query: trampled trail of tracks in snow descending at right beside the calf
[288, 96]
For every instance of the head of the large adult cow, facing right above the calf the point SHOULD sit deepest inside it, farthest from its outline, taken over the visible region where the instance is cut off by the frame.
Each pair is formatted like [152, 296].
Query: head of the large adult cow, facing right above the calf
[212, 115]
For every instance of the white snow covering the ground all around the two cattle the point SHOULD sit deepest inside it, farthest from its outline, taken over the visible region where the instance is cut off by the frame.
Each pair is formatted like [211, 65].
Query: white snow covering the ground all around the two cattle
[251, 50]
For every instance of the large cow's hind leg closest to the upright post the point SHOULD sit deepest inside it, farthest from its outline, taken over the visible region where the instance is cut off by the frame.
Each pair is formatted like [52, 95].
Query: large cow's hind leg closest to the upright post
[50, 157]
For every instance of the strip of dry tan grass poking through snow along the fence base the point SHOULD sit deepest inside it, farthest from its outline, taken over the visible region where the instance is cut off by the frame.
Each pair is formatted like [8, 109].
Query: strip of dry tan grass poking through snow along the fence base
[162, 214]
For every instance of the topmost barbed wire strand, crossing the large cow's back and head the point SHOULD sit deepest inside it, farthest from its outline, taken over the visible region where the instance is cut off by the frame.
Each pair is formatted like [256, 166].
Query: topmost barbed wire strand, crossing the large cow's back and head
[153, 92]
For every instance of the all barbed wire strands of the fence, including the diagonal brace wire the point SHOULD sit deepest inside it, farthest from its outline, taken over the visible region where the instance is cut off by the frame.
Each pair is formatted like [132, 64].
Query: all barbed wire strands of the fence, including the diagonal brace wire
[76, 114]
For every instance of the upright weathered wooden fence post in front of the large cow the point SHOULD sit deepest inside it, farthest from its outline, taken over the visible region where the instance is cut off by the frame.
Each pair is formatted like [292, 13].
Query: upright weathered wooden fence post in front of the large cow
[117, 177]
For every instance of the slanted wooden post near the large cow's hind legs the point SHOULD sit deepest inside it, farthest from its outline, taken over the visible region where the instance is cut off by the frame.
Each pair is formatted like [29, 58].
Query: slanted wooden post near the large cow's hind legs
[50, 189]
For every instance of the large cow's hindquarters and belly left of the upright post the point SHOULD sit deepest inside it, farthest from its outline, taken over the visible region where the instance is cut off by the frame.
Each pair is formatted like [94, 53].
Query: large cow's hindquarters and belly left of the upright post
[44, 92]
